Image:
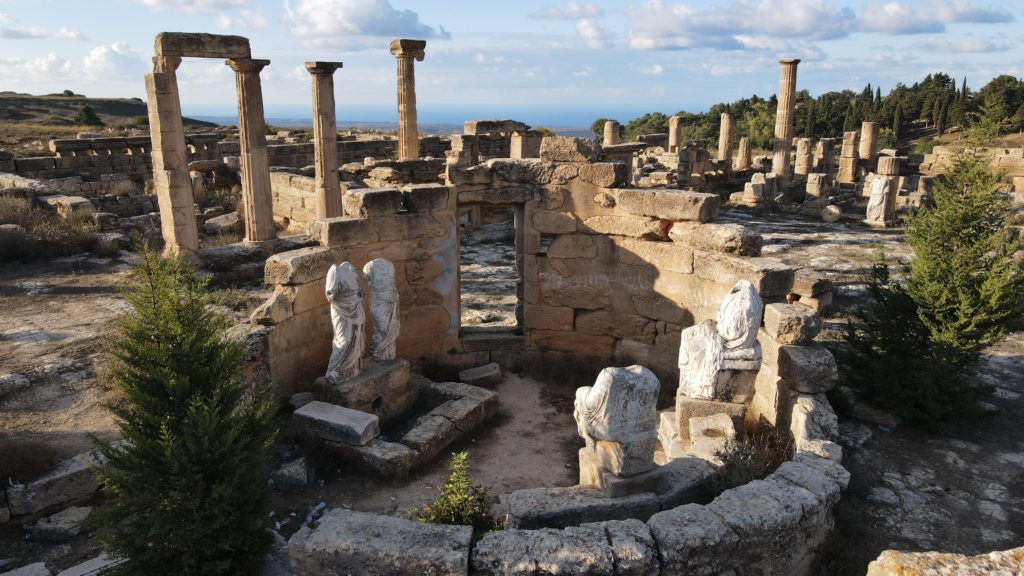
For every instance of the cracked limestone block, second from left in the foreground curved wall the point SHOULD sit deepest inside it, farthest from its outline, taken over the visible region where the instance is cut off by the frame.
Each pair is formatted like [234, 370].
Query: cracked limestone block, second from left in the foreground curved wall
[622, 548]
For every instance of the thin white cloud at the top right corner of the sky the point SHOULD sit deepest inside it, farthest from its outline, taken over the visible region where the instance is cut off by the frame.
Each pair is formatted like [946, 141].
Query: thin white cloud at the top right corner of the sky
[928, 16]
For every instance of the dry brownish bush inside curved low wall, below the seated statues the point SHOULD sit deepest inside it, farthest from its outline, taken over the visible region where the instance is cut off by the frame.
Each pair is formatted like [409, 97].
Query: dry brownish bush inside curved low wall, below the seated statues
[752, 460]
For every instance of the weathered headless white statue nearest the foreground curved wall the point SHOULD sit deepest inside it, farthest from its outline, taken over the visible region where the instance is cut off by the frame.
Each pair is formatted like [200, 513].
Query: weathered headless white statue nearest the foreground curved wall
[618, 419]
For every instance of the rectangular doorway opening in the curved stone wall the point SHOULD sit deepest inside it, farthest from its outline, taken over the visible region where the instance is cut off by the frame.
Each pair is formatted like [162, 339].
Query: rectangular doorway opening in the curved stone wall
[491, 269]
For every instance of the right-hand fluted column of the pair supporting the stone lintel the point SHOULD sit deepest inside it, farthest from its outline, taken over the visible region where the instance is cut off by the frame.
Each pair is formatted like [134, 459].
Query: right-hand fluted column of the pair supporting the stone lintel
[257, 197]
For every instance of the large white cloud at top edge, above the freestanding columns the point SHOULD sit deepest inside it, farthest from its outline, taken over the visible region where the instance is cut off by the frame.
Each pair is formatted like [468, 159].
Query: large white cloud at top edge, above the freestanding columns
[345, 23]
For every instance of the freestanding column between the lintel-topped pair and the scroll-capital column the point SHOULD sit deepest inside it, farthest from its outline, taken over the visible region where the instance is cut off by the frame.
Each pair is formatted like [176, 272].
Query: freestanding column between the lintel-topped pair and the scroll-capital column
[325, 140]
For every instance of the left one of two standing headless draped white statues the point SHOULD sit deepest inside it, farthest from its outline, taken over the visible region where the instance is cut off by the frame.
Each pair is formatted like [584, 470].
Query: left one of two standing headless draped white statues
[348, 318]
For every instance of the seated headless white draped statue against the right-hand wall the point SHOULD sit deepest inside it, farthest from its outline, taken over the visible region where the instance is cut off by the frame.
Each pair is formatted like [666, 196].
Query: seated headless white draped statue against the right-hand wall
[729, 343]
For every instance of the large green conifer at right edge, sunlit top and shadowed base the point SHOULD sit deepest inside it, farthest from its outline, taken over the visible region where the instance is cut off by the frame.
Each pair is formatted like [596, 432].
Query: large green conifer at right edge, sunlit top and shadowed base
[965, 290]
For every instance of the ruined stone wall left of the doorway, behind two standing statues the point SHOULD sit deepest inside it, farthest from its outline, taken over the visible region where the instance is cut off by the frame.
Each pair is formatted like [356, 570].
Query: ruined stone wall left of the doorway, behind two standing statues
[415, 229]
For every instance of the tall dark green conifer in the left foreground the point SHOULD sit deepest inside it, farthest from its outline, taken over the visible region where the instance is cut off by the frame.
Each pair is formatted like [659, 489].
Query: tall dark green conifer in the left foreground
[190, 479]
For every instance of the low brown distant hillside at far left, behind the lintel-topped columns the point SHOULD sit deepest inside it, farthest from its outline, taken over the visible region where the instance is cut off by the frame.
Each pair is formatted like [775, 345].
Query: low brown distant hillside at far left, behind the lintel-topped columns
[60, 110]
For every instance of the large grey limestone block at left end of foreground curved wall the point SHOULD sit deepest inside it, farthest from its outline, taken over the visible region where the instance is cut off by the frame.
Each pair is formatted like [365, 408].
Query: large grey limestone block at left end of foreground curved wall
[352, 543]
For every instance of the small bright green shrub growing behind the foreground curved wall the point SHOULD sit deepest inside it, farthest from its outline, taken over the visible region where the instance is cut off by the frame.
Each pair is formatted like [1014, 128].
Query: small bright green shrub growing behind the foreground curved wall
[461, 502]
